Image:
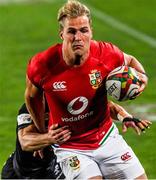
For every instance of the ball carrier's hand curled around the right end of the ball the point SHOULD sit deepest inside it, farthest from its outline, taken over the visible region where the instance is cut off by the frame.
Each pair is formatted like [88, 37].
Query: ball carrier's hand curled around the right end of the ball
[144, 80]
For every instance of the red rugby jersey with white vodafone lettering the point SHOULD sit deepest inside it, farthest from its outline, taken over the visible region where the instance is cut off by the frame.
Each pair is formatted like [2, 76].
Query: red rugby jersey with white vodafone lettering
[76, 95]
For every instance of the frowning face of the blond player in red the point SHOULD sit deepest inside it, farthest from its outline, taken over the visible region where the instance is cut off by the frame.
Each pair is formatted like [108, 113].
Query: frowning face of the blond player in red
[76, 36]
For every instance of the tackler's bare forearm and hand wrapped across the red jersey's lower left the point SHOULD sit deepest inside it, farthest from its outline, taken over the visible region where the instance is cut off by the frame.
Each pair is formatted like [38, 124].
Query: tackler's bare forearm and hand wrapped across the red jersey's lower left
[31, 140]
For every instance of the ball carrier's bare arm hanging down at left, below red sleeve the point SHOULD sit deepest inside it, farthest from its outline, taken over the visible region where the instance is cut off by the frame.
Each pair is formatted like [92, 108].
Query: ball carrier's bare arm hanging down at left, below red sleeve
[35, 104]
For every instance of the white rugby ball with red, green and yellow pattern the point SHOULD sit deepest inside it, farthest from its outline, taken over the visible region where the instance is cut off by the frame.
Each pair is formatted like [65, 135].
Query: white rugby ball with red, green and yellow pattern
[123, 83]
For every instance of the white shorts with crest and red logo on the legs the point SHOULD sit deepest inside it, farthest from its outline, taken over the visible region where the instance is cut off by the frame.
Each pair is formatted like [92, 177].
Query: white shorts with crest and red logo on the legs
[112, 160]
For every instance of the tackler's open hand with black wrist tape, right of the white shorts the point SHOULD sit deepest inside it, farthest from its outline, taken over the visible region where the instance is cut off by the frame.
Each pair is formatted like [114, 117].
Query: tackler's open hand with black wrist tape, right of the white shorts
[135, 123]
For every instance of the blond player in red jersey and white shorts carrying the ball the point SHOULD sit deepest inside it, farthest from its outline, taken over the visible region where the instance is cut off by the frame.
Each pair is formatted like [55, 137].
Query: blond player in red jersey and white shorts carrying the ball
[72, 75]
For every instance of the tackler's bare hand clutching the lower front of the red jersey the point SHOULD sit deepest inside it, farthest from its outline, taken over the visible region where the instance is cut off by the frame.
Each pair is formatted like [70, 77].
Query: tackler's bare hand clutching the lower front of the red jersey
[58, 135]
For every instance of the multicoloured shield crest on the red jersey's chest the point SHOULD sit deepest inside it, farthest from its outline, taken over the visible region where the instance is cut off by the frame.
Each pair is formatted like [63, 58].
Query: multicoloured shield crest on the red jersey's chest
[95, 79]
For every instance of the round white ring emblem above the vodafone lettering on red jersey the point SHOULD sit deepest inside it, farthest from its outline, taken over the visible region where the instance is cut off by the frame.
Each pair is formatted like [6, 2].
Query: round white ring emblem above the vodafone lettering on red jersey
[77, 105]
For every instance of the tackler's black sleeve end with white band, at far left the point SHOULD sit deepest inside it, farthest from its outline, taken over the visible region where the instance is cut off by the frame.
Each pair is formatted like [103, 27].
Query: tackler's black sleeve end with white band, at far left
[23, 118]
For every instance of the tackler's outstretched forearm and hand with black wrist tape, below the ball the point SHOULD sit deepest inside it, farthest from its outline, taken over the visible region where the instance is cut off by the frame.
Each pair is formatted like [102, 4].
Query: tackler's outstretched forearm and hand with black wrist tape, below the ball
[119, 113]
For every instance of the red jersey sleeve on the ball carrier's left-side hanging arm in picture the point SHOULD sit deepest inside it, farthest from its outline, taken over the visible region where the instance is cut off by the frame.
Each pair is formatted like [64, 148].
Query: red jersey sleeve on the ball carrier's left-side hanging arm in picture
[36, 69]
